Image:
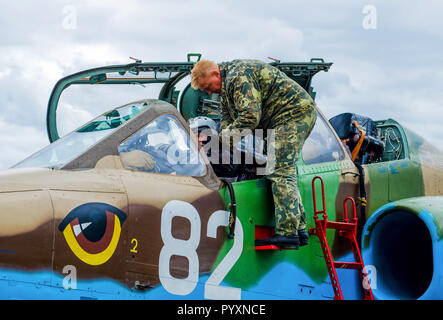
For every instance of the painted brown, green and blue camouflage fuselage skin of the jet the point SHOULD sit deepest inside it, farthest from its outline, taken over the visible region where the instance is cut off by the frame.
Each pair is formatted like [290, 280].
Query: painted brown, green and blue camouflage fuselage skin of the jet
[34, 253]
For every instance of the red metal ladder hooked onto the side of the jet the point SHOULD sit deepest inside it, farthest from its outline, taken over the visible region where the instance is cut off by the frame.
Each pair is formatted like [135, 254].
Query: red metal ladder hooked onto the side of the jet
[347, 230]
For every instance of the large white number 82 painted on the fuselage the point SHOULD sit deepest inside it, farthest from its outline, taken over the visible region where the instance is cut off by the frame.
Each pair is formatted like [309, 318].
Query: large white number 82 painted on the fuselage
[188, 249]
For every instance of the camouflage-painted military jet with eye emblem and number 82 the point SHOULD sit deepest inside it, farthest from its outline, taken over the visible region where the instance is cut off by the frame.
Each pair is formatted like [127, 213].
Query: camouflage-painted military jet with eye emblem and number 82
[91, 216]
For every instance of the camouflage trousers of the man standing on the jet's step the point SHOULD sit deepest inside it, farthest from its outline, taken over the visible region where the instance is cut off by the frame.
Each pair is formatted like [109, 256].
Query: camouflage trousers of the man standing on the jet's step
[283, 153]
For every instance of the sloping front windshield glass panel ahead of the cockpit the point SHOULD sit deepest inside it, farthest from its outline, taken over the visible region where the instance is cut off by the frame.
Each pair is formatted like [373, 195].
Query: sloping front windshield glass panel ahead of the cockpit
[66, 149]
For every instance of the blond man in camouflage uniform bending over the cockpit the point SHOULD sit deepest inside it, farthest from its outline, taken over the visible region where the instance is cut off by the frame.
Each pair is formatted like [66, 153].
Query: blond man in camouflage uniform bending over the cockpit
[254, 95]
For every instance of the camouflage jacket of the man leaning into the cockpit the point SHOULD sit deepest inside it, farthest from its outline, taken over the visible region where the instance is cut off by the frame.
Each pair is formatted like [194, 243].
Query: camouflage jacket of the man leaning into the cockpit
[255, 94]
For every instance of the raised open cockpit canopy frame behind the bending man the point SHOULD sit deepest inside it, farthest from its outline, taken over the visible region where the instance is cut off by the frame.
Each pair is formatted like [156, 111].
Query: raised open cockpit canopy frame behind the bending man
[166, 81]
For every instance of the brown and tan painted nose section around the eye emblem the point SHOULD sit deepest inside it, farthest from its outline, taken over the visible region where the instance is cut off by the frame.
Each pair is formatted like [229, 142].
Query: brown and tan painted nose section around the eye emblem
[34, 243]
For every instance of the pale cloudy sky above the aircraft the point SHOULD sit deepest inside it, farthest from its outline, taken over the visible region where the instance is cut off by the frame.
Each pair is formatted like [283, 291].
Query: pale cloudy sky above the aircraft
[387, 55]
